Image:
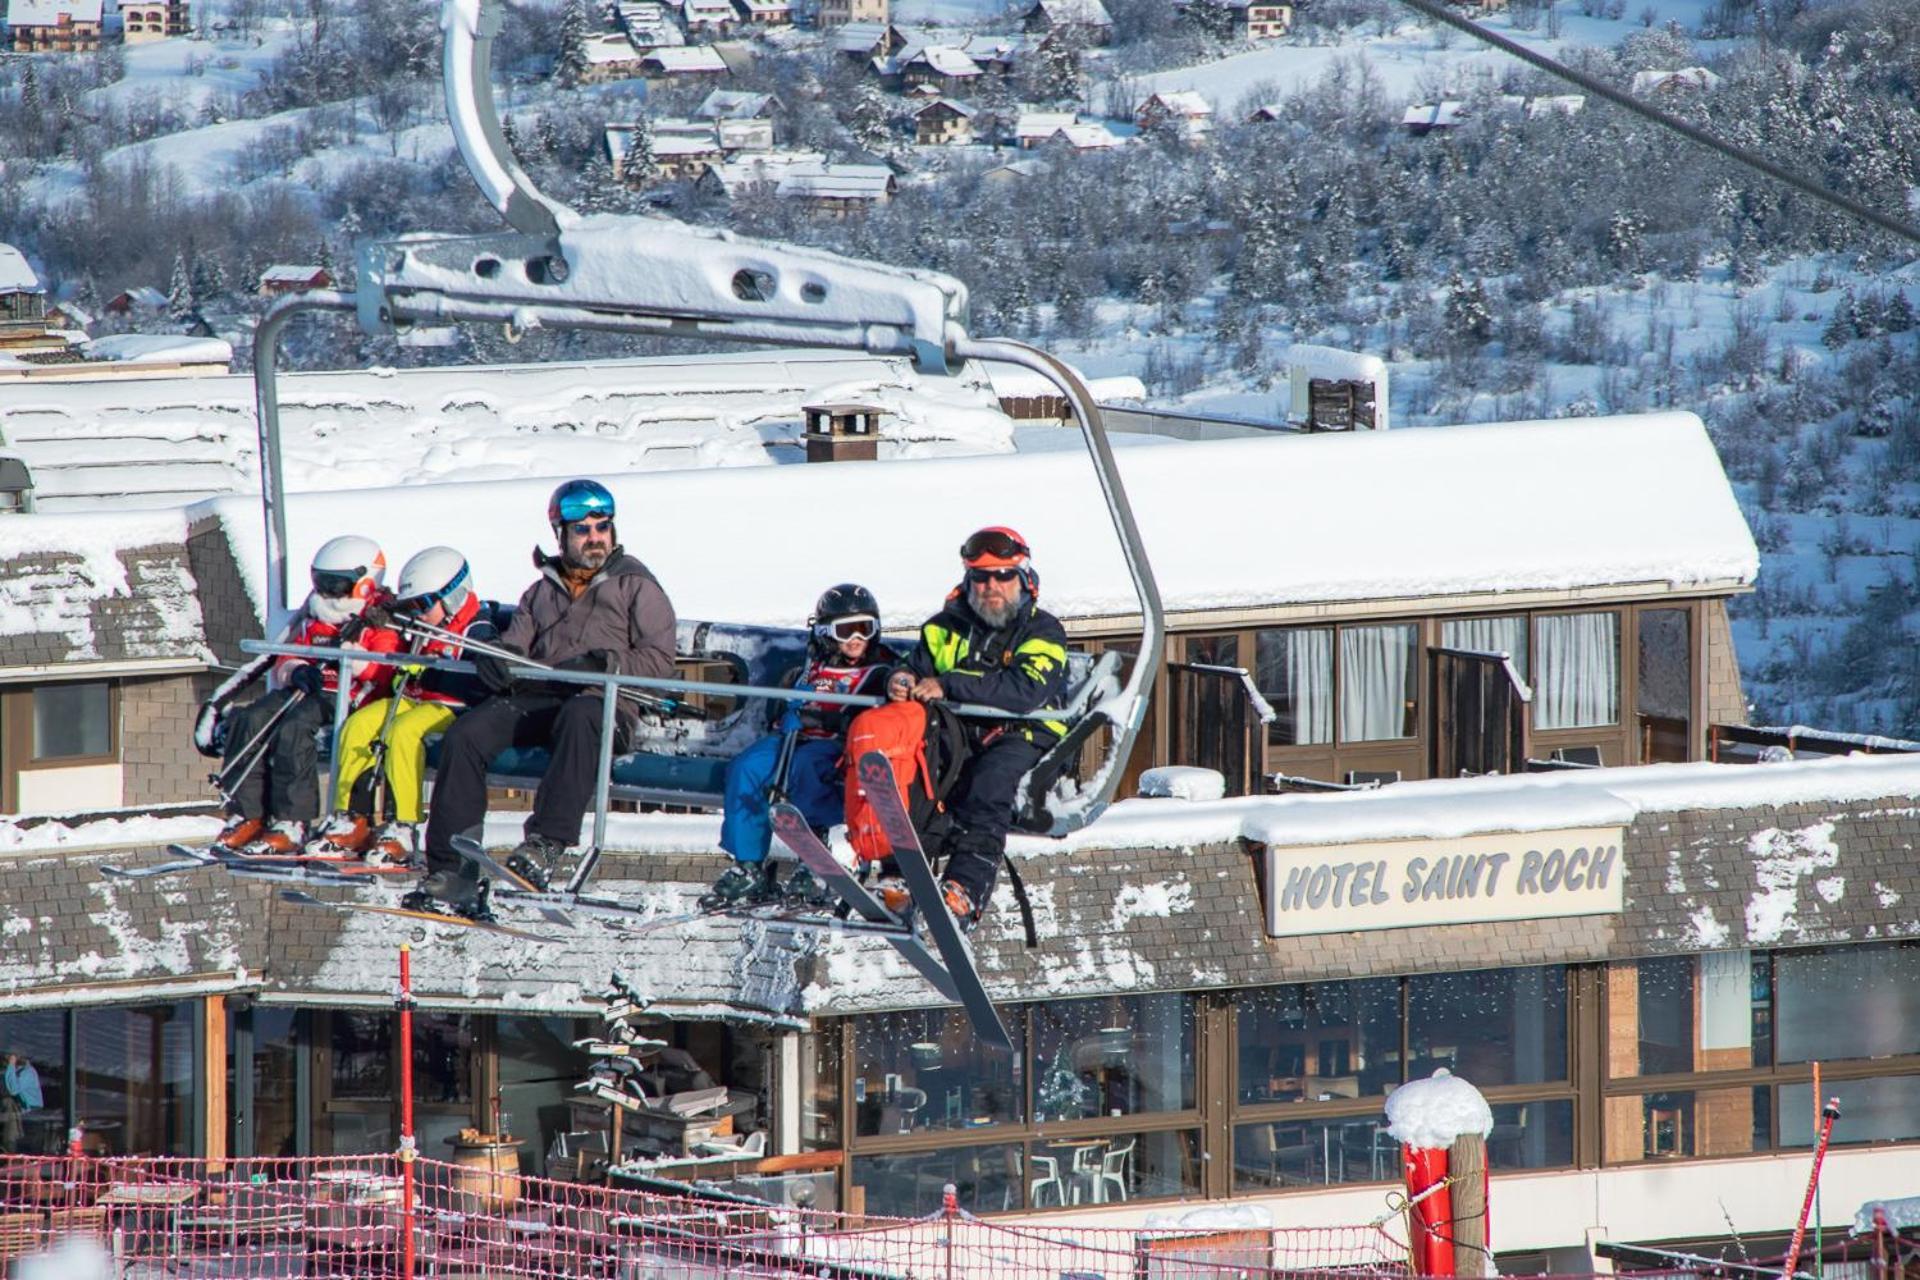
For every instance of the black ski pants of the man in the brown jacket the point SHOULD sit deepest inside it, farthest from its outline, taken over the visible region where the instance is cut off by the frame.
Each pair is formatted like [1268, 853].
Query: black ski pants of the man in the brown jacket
[565, 724]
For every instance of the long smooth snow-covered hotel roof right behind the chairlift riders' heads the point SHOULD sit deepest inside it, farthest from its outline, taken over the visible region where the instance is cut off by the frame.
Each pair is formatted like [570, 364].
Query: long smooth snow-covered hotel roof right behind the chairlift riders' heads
[1497, 510]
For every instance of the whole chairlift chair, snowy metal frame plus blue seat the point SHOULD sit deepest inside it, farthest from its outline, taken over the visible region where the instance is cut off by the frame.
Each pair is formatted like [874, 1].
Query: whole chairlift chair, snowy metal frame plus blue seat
[650, 275]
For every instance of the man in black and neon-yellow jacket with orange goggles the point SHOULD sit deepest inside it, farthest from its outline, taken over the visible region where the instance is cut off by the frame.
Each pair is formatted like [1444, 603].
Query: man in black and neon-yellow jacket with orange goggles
[992, 646]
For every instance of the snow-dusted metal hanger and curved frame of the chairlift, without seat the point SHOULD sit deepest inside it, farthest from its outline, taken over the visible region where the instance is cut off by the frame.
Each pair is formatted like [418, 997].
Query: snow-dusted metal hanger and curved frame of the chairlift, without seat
[642, 275]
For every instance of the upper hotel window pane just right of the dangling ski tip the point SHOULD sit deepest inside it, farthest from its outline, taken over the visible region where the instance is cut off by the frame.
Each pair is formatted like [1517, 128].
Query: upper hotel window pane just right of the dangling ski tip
[1118, 1056]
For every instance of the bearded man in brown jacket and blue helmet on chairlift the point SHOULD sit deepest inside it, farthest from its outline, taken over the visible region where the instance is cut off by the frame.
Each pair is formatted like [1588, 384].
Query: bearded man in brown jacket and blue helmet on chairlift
[592, 609]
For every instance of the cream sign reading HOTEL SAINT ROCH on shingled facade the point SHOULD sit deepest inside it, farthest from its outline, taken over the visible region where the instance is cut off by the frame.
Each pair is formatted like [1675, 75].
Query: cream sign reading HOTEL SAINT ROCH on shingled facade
[1468, 880]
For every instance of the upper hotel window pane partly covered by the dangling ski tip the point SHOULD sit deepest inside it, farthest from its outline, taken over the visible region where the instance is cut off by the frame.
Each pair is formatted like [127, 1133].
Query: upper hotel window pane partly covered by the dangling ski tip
[926, 1070]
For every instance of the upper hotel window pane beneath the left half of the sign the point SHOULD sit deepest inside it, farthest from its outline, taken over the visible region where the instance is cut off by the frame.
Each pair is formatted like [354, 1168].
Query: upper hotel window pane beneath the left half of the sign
[1320, 1041]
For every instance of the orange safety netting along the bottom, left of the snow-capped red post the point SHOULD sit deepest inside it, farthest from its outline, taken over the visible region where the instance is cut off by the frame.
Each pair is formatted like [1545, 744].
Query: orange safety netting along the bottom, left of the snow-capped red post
[348, 1218]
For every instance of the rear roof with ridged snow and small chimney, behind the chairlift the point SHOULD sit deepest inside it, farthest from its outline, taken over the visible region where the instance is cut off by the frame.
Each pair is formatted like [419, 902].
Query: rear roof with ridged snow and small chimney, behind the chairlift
[352, 429]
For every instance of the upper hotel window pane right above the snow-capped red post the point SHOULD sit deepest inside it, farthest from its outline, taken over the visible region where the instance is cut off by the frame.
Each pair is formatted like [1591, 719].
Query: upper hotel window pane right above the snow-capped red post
[1493, 1028]
